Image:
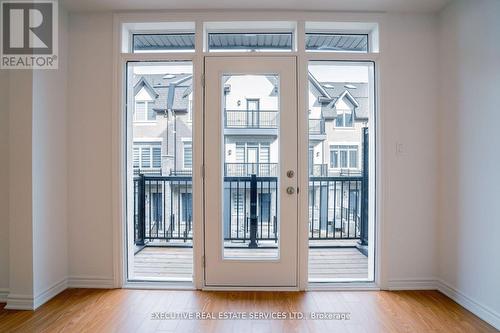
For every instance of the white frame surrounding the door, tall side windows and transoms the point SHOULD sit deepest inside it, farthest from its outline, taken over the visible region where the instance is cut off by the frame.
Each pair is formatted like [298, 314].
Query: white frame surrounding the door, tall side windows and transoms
[118, 135]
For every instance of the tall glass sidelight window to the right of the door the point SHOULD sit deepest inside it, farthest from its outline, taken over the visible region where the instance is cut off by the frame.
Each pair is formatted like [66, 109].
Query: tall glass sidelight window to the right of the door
[341, 215]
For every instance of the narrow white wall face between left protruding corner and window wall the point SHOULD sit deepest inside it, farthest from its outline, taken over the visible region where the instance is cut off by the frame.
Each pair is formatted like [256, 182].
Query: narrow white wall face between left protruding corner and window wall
[50, 257]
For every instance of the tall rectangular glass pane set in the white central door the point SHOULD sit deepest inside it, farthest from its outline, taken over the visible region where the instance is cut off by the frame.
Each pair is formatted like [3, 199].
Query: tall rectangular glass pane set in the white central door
[245, 227]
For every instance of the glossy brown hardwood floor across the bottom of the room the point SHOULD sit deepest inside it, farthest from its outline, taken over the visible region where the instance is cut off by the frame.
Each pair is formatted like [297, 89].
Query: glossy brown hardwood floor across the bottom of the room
[122, 310]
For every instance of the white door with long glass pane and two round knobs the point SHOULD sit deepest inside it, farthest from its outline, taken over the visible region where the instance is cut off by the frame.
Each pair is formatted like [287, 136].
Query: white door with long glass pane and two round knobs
[250, 216]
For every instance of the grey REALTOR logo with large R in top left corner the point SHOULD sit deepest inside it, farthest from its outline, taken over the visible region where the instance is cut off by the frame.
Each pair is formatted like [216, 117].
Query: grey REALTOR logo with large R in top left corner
[29, 34]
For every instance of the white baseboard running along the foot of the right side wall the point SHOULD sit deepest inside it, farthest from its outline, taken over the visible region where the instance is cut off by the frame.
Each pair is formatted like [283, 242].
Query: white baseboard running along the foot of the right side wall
[483, 312]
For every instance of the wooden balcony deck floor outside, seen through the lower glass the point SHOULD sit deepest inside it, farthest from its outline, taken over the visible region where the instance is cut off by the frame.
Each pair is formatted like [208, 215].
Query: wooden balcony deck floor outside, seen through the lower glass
[157, 263]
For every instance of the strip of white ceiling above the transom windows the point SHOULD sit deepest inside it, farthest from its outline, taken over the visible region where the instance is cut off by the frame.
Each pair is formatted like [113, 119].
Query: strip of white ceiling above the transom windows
[336, 5]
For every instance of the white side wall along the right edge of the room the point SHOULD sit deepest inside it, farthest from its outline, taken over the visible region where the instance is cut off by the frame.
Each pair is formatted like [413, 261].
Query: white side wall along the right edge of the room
[469, 153]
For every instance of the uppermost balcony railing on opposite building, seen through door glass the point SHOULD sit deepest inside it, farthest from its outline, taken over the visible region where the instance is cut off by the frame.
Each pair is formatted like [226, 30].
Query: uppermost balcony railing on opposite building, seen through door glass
[251, 119]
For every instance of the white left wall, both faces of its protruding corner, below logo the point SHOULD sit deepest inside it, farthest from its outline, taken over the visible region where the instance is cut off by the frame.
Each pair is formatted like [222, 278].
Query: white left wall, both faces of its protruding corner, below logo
[33, 214]
